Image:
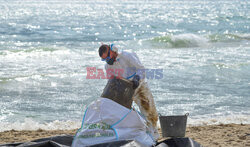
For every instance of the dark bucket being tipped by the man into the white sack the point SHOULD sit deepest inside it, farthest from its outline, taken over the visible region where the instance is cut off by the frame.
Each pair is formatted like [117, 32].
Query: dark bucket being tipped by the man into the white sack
[119, 90]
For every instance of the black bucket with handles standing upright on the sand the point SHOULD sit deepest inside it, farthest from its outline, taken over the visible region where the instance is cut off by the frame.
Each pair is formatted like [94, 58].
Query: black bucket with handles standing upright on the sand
[173, 126]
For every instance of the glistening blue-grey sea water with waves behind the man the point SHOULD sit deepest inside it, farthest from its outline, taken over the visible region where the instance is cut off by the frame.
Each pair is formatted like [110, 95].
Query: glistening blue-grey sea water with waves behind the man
[202, 48]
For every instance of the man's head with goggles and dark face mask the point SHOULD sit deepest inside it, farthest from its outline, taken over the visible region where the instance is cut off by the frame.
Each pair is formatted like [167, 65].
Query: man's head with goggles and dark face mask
[107, 54]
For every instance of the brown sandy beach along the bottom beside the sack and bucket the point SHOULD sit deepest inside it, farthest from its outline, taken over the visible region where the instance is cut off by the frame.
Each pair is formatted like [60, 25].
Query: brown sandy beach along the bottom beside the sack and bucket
[224, 135]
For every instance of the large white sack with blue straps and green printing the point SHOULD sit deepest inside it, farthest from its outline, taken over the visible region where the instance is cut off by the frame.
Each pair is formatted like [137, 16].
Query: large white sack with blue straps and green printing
[106, 121]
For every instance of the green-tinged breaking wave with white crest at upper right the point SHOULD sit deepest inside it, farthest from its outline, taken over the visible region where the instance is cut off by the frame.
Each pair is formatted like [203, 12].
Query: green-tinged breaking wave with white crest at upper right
[193, 40]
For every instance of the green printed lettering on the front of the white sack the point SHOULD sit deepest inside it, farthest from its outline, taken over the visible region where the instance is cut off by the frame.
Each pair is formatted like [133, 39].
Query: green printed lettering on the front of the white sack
[97, 130]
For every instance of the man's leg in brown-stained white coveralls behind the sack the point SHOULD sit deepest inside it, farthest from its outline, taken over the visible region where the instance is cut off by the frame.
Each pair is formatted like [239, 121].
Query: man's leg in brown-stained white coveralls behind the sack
[144, 99]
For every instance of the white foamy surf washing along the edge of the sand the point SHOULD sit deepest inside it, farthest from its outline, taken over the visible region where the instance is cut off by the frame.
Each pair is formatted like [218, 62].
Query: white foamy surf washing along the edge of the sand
[30, 124]
